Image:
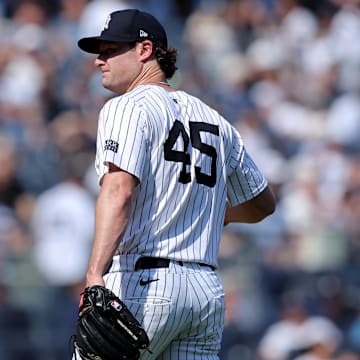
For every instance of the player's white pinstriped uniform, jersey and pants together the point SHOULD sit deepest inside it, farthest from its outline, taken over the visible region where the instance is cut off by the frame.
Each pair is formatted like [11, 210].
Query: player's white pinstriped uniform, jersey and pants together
[189, 161]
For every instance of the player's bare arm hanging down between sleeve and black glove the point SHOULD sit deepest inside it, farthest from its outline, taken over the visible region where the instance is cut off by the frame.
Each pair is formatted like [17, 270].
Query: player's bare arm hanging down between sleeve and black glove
[113, 209]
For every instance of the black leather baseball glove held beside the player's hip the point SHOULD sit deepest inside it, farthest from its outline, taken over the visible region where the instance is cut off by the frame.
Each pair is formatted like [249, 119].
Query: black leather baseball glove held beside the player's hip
[106, 329]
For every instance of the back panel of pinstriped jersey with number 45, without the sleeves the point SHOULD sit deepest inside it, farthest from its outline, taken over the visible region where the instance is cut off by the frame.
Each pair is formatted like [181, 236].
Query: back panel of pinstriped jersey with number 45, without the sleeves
[183, 192]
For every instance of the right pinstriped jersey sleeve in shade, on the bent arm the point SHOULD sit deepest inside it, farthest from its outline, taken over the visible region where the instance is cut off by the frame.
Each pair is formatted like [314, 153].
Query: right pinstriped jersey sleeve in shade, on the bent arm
[245, 180]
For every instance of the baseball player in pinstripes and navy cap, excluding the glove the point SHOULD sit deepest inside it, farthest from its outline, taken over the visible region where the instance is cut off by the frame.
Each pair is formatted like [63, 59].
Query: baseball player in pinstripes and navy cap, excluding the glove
[172, 171]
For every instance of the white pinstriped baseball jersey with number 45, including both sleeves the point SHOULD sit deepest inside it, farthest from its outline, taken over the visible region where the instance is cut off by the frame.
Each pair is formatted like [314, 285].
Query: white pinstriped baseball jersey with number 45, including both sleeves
[169, 141]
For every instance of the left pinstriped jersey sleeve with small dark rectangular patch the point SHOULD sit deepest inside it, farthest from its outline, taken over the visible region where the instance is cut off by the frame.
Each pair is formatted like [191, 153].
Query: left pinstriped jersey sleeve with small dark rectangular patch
[121, 137]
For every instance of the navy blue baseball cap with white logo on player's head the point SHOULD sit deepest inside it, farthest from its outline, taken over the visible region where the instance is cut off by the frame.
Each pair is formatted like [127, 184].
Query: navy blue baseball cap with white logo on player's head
[129, 25]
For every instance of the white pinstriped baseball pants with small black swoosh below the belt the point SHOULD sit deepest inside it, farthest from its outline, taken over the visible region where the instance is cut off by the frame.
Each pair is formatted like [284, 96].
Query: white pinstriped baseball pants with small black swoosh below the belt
[182, 309]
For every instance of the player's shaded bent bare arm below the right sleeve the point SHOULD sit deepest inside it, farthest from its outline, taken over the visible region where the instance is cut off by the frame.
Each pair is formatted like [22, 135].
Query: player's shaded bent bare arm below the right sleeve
[252, 211]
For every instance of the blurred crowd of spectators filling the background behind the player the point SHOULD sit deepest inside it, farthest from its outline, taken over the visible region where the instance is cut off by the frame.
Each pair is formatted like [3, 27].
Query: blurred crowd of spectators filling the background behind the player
[286, 73]
